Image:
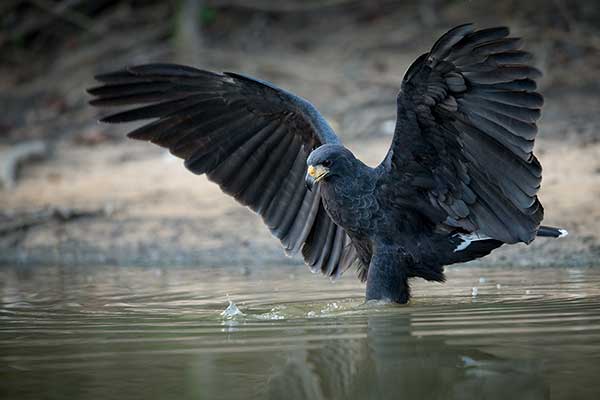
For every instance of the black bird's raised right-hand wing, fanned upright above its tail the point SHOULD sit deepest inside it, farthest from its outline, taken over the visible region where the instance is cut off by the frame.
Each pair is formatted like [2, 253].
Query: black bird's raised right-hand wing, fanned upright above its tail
[464, 137]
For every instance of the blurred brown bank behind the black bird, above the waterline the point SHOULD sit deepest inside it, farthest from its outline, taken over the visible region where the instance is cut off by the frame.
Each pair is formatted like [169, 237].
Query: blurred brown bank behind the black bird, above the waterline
[73, 191]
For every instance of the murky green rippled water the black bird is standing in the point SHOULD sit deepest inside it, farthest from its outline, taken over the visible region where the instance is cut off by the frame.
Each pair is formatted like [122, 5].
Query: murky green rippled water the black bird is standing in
[121, 333]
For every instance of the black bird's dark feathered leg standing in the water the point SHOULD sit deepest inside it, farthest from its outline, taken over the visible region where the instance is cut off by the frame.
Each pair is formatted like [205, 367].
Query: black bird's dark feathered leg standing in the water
[387, 278]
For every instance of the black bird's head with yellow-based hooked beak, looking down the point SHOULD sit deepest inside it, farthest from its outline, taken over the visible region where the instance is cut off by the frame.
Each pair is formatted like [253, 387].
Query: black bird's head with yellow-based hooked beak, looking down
[327, 162]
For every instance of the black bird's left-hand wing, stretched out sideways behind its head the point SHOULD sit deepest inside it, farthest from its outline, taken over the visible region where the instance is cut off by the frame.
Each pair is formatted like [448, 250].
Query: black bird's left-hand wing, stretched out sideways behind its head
[248, 136]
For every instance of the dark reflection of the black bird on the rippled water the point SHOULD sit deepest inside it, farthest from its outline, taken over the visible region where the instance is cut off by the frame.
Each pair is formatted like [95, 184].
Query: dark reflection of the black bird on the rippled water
[389, 363]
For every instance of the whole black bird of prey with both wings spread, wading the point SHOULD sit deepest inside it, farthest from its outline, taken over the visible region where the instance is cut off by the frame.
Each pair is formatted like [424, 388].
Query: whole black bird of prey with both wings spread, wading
[459, 180]
